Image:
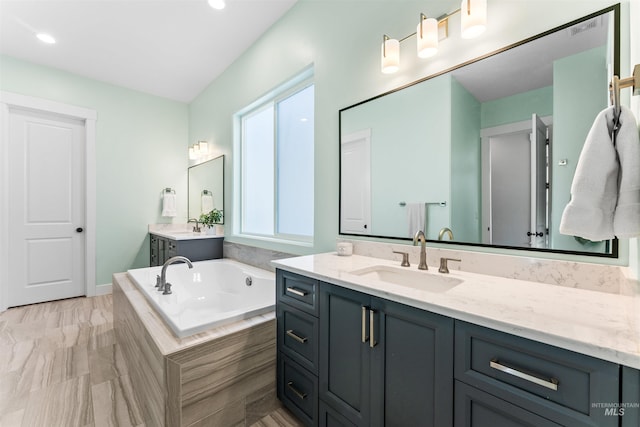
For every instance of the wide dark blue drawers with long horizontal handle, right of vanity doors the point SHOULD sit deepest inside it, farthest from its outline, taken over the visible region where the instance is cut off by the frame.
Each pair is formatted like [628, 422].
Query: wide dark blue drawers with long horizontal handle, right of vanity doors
[497, 372]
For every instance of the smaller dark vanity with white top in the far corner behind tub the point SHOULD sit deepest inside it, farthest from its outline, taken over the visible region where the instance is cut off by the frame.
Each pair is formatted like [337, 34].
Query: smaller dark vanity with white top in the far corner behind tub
[195, 246]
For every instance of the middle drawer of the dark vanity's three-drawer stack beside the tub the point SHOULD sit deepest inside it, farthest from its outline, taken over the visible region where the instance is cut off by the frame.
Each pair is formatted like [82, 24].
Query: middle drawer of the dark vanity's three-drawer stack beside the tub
[298, 336]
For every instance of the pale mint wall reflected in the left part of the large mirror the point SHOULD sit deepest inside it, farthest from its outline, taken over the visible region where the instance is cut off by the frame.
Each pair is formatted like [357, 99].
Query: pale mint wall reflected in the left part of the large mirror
[398, 175]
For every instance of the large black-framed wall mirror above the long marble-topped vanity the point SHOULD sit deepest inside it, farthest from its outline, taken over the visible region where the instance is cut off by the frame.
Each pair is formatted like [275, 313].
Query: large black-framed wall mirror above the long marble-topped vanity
[485, 153]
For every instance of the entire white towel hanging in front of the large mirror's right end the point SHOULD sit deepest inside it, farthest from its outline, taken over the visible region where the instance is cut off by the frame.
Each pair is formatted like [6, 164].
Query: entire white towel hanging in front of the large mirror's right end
[605, 172]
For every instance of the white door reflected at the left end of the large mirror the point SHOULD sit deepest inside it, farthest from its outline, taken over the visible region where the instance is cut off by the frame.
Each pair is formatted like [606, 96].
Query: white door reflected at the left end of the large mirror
[355, 211]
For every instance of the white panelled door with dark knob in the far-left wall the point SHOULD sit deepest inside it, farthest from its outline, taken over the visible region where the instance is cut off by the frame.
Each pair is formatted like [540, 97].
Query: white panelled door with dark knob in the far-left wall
[46, 207]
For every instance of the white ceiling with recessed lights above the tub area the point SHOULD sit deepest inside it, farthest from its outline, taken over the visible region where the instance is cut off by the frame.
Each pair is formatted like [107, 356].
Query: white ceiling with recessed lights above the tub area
[169, 48]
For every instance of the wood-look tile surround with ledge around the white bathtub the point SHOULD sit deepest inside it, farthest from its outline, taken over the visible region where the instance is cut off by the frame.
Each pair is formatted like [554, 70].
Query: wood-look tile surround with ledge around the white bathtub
[223, 376]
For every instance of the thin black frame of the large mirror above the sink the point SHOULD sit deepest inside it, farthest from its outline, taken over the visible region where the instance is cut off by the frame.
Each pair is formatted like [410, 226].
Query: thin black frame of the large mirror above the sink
[611, 245]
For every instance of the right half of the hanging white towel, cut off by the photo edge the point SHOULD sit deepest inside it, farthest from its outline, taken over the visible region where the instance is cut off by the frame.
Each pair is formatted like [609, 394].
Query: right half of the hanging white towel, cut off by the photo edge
[626, 220]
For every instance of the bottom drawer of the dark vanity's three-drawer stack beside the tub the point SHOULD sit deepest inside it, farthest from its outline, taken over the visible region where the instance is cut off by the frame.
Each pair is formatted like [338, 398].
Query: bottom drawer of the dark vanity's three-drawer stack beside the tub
[298, 389]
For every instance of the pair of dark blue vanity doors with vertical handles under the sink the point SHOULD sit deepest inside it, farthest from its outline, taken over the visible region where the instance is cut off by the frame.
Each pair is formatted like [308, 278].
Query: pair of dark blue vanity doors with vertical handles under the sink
[383, 363]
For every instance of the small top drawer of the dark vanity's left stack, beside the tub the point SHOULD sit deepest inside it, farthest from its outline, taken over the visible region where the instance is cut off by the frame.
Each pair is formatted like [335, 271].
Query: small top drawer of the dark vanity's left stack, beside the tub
[298, 291]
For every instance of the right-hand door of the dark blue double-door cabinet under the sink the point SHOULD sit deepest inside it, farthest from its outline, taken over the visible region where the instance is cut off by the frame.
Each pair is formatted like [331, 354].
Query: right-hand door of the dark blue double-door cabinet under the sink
[412, 366]
